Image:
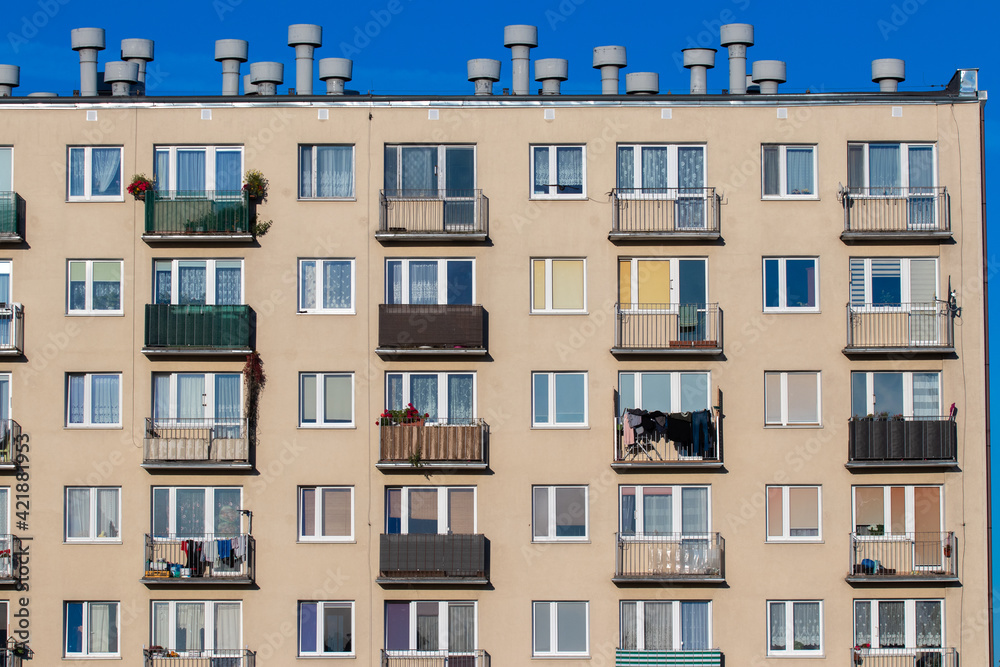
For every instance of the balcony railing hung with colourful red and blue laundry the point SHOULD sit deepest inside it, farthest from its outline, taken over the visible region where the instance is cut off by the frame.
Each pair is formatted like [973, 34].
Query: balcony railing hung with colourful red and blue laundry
[199, 559]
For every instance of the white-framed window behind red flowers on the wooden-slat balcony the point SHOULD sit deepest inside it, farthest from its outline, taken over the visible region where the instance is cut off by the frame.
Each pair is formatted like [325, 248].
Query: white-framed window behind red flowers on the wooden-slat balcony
[448, 398]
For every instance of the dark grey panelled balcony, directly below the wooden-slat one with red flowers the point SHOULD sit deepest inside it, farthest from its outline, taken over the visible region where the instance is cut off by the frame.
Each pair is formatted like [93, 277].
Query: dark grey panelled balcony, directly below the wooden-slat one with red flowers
[432, 559]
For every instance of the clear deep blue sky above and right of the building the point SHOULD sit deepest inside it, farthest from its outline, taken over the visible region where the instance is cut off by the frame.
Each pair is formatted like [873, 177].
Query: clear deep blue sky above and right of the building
[413, 46]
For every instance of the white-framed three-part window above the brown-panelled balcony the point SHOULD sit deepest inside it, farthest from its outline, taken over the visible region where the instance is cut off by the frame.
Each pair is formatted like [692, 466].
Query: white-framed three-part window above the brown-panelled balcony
[430, 281]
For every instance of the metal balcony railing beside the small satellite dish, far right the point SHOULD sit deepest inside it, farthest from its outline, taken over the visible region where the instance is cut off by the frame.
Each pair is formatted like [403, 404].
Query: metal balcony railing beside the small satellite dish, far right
[900, 327]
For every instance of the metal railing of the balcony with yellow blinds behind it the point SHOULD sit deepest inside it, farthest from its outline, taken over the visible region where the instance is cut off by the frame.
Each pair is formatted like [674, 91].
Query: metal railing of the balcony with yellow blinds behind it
[668, 328]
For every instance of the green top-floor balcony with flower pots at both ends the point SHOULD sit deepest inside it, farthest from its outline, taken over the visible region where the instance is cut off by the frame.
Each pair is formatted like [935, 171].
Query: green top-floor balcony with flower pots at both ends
[190, 215]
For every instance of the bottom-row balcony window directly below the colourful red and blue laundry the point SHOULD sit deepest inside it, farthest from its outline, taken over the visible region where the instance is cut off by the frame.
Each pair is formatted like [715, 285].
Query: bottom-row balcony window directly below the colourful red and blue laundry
[212, 628]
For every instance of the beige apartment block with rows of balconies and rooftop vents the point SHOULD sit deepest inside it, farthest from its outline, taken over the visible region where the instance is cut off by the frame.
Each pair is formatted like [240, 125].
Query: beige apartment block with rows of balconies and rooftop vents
[695, 379]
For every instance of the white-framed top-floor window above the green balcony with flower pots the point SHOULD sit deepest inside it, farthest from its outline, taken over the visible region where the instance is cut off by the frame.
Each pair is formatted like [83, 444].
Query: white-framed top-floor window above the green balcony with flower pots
[199, 171]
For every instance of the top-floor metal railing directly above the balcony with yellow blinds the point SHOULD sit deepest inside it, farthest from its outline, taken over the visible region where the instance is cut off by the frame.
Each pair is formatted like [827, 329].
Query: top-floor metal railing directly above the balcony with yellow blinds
[664, 212]
